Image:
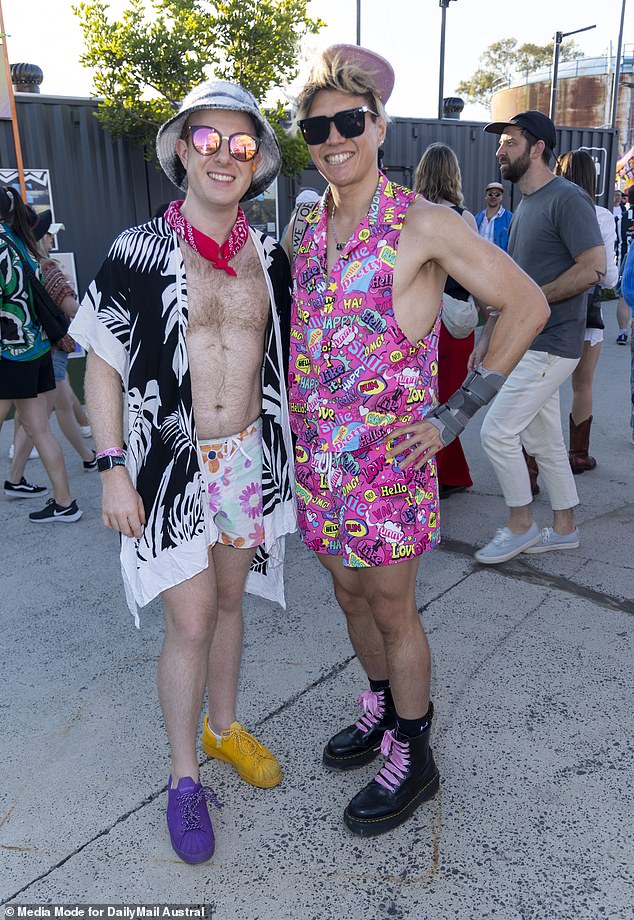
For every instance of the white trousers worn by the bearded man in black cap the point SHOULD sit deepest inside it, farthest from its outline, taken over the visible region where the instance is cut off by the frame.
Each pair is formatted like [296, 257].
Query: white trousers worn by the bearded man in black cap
[526, 413]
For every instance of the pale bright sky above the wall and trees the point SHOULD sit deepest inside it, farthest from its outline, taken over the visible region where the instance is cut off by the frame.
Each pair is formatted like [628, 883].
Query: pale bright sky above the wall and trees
[406, 32]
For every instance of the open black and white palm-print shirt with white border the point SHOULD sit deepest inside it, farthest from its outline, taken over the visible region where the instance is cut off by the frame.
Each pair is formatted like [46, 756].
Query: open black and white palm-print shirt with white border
[134, 316]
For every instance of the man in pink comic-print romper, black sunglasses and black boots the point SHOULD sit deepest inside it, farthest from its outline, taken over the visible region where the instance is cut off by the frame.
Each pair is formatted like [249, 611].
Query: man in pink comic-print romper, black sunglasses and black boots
[368, 277]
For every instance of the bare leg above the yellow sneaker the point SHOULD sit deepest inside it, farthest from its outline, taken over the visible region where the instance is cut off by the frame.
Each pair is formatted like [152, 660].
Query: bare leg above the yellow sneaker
[232, 567]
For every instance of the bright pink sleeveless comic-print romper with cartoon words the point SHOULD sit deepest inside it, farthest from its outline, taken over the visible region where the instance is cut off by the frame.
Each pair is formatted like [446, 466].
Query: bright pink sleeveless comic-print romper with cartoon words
[353, 376]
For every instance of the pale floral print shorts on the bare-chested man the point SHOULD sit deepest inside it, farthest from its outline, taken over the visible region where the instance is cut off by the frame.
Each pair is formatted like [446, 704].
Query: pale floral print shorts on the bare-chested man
[233, 470]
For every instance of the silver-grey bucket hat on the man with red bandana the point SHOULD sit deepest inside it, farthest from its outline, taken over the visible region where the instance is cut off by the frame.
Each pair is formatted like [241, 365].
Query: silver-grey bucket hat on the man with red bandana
[220, 94]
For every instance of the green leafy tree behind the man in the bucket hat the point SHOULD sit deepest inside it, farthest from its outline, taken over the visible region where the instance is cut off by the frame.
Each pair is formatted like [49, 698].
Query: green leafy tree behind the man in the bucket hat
[148, 60]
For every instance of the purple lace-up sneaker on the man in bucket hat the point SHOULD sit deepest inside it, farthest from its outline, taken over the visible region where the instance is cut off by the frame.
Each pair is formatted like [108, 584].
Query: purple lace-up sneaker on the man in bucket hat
[188, 820]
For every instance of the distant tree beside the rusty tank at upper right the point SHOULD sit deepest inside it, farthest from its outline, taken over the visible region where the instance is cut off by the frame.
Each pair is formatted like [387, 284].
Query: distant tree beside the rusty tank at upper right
[504, 59]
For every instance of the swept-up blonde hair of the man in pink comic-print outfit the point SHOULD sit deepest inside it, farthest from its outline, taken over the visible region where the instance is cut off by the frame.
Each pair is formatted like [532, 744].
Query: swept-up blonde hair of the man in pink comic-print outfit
[333, 70]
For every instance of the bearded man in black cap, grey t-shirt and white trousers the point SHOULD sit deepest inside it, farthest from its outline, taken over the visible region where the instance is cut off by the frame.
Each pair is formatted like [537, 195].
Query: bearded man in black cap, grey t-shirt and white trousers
[555, 238]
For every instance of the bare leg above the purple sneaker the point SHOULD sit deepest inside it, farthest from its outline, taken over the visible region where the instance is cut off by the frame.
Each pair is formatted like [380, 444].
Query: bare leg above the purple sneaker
[190, 620]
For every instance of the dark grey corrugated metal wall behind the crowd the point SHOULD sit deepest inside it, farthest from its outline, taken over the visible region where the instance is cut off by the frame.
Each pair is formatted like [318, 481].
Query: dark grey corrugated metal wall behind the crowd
[100, 186]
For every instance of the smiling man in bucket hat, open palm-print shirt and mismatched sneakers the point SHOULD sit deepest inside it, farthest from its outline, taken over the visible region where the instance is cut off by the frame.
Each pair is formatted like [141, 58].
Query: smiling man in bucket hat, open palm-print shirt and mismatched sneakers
[187, 311]
